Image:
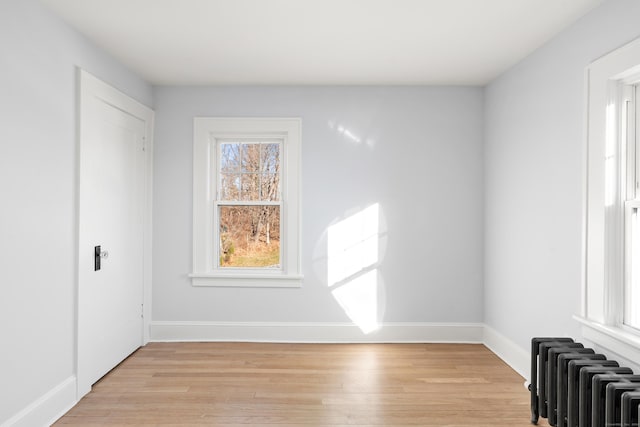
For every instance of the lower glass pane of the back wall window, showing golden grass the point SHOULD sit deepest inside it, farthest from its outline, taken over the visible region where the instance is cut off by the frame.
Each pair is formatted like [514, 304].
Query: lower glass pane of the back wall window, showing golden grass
[249, 236]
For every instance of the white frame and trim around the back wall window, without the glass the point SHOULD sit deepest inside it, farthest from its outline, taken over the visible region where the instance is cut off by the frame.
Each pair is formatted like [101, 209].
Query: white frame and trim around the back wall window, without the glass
[209, 130]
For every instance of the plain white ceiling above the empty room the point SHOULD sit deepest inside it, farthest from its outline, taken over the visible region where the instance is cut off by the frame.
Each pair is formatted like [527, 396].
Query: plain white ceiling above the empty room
[398, 42]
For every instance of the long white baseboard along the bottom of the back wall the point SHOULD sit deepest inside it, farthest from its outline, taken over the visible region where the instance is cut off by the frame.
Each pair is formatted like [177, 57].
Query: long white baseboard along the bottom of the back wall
[315, 332]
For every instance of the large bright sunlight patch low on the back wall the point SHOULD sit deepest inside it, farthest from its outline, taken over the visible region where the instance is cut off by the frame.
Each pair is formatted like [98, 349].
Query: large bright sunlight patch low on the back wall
[354, 249]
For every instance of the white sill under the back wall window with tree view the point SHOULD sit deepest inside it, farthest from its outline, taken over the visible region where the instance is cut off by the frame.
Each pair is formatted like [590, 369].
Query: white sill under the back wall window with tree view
[246, 280]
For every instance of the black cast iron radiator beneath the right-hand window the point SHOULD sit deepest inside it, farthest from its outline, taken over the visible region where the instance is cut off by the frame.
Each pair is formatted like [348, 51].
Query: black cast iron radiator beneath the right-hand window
[573, 386]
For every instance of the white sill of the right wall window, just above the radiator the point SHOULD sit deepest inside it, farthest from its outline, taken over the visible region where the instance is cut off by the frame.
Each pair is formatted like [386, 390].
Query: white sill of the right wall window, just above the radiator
[615, 339]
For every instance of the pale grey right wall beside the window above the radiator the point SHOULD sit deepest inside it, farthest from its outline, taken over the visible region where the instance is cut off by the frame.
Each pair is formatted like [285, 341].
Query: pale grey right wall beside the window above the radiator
[534, 149]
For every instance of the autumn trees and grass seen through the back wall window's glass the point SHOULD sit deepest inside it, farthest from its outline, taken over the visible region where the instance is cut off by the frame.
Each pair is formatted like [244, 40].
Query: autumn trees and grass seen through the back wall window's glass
[249, 204]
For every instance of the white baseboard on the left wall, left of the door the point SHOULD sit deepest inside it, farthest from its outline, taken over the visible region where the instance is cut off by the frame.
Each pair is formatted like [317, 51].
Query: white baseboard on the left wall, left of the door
[45, 410]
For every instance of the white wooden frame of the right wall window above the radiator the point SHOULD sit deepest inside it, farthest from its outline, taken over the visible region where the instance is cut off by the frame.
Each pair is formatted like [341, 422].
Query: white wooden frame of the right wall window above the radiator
[608, 176]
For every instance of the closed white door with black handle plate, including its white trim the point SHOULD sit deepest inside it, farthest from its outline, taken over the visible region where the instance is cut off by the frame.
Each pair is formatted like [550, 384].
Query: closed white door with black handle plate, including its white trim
[111, 217]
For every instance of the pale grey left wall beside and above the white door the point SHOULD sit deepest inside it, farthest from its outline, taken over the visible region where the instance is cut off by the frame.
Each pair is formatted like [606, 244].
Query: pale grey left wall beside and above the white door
[38, 205]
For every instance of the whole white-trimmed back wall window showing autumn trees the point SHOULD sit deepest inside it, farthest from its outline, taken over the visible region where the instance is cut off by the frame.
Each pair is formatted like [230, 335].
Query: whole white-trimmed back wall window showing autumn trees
[246, 202]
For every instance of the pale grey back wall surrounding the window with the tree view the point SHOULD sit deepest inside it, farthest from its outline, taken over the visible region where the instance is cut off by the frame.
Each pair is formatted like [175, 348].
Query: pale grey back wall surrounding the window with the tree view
[420, 158]
